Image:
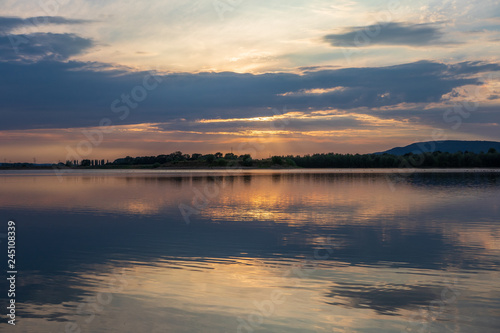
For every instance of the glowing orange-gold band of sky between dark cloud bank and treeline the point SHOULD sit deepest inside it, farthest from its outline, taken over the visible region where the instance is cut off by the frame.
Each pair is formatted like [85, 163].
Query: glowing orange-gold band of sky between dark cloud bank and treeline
[279, 133]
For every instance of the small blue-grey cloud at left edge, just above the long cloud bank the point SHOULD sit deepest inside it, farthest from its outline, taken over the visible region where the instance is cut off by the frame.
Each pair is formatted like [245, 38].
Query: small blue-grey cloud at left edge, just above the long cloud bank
[42, 46]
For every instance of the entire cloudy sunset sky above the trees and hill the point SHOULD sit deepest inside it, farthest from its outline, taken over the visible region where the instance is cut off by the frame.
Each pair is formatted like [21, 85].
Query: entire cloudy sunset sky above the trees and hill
[106, 79]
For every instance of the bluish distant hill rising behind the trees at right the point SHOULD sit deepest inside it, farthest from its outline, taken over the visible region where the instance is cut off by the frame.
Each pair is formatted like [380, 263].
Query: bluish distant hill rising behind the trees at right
[450, 146]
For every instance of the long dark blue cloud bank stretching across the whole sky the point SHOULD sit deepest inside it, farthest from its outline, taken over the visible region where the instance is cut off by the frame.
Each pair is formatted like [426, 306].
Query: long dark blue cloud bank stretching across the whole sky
[49, 94]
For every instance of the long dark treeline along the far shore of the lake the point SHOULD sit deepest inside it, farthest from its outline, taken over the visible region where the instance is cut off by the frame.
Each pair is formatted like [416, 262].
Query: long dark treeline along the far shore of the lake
[438, 159]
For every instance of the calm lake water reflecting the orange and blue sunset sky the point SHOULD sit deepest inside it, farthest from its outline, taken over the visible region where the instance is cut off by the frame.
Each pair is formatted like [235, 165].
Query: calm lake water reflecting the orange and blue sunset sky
[254, 251]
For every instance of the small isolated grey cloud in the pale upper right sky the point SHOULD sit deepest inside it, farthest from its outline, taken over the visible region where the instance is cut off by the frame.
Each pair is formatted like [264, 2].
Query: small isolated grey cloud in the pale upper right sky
[392, 33]
